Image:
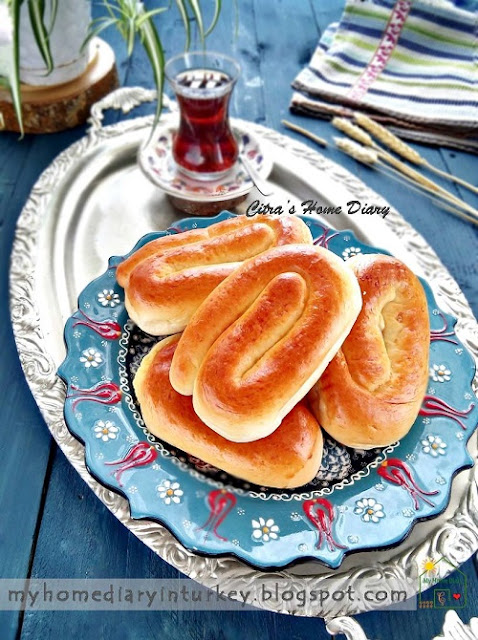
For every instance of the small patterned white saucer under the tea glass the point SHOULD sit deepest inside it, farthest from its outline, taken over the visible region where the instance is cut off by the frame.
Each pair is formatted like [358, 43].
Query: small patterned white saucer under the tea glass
[157, 163]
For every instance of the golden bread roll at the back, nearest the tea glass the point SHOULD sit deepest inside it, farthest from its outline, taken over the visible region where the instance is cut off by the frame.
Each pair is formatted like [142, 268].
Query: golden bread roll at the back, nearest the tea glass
[167, 279]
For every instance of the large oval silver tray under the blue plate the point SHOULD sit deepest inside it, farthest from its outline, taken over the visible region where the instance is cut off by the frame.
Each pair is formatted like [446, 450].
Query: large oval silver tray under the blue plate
[93, 202]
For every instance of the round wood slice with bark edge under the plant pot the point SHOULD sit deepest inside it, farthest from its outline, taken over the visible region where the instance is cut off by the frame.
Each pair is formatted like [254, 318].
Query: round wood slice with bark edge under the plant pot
[51, 109]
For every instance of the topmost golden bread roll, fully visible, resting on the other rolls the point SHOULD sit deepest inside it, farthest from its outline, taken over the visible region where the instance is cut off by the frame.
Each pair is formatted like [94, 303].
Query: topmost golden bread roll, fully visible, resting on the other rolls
[263, 337]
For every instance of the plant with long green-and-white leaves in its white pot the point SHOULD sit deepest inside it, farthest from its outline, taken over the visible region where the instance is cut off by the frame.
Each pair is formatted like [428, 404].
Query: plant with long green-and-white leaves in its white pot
[45, 43]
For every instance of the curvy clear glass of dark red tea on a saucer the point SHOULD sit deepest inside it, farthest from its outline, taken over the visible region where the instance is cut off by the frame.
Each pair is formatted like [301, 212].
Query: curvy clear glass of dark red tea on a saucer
[204, 146]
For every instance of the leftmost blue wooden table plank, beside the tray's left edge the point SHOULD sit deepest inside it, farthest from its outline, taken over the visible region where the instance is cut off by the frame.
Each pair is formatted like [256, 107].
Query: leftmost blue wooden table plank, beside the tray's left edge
[25, 442]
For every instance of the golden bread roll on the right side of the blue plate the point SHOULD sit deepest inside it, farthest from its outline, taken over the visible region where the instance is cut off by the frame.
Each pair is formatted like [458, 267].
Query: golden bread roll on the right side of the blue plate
[370, 394]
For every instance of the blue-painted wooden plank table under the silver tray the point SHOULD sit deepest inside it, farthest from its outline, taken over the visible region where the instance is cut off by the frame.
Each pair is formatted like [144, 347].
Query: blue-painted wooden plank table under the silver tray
[51, 525]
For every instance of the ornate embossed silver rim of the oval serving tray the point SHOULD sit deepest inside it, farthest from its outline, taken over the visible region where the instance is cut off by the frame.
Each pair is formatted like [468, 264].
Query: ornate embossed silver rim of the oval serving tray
[456, 535]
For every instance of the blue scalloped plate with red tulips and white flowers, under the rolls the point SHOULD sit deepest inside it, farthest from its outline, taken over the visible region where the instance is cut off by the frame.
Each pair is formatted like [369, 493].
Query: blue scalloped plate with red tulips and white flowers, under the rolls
[359, 500]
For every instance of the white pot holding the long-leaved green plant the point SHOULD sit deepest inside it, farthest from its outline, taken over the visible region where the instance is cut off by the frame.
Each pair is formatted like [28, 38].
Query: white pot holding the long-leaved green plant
[68, 35]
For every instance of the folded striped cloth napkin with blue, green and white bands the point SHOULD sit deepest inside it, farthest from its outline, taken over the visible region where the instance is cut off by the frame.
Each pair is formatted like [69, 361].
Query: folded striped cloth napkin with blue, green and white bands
[410, 64]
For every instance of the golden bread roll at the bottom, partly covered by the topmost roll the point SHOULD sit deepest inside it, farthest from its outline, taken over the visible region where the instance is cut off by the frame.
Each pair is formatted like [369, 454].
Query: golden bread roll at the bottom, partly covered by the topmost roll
[288, 458]
